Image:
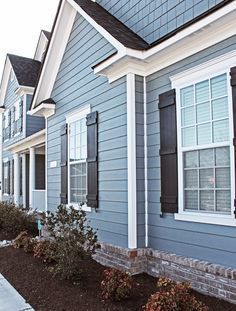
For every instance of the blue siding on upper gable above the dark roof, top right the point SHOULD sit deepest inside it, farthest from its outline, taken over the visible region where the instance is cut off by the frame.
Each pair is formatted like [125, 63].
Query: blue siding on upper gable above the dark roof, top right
[153, 19]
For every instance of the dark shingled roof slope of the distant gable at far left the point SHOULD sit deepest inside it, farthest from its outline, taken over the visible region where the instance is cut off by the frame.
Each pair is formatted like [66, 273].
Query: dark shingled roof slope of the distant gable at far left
[25, 69]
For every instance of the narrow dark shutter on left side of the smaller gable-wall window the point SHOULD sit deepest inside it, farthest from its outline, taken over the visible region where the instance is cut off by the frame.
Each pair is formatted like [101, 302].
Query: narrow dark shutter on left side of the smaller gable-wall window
[64, 164]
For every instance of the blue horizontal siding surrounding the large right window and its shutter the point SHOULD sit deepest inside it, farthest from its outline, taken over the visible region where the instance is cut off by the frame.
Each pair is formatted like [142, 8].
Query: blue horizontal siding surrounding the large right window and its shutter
[212, 243]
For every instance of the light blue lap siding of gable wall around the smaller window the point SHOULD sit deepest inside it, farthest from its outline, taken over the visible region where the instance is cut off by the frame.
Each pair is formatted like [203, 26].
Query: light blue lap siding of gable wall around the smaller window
[75, 86]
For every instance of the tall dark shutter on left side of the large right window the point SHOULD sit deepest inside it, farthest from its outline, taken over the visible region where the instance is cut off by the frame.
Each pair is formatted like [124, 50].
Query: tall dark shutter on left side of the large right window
[168, 152]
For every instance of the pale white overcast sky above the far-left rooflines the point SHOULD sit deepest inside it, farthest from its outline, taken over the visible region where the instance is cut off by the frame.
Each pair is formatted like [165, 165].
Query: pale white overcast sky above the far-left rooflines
[20, 25]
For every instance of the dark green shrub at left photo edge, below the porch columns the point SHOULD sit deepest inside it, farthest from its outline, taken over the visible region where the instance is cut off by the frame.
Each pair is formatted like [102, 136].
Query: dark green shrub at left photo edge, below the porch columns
[14, 219]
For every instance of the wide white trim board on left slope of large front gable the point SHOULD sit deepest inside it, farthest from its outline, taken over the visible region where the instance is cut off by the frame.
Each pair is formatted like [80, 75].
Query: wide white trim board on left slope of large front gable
[55, 52]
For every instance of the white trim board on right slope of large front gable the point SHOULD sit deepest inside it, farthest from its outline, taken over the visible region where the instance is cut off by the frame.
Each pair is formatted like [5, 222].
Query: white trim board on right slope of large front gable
[119, 46]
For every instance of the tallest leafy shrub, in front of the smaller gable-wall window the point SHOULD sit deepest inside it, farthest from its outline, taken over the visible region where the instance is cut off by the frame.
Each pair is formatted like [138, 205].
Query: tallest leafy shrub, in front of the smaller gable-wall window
[74, 238]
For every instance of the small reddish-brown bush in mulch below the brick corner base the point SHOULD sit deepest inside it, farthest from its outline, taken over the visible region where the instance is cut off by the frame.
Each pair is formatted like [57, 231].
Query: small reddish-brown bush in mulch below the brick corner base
[116, 285]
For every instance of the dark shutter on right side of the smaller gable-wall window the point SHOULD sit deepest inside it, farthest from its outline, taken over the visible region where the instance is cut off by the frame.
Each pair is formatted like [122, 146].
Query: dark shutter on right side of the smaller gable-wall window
[92, 159]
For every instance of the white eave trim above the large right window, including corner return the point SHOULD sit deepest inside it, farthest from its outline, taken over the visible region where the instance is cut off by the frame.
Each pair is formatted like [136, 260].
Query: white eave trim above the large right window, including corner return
[214, 28]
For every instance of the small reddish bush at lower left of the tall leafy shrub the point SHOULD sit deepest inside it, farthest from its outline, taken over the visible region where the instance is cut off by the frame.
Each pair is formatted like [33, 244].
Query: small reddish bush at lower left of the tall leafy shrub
[45, 250]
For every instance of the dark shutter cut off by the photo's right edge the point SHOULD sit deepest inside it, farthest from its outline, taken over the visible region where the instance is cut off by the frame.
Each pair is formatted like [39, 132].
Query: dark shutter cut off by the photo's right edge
[233, 85]
